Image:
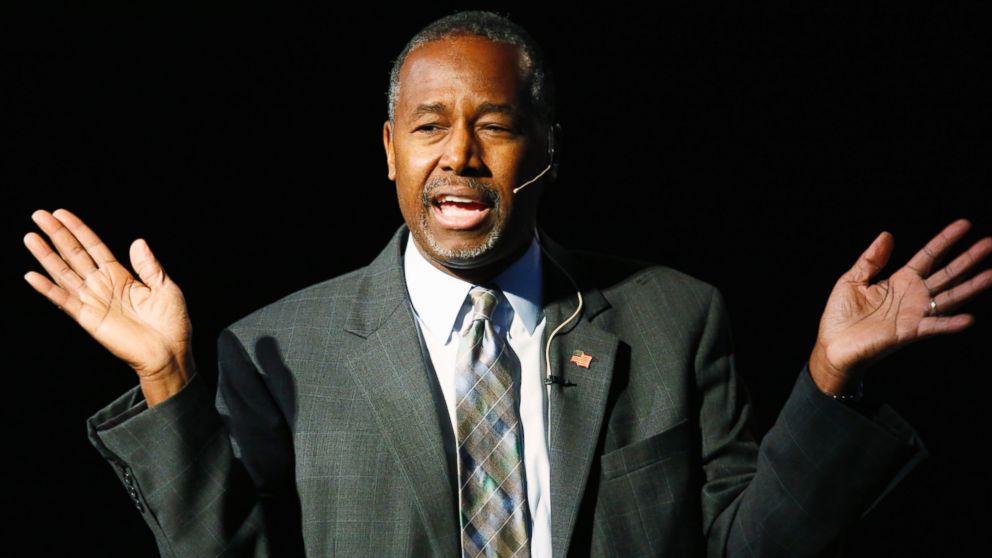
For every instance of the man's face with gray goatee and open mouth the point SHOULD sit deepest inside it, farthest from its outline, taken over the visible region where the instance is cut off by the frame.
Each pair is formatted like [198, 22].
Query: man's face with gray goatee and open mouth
[463, 139]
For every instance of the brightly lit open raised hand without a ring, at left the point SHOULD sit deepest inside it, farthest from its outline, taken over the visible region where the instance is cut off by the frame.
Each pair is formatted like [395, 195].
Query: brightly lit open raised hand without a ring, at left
[143, 322]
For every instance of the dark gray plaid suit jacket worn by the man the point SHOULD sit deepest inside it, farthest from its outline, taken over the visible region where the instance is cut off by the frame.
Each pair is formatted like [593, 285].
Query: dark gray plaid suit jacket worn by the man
[327, 433]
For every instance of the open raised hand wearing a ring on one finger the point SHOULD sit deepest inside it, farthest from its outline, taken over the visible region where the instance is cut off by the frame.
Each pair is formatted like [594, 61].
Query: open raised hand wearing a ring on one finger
[864, 322]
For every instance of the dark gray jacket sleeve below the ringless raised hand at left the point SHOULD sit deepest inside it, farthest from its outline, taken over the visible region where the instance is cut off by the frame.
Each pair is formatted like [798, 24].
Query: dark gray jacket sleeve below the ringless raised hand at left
[193, 467]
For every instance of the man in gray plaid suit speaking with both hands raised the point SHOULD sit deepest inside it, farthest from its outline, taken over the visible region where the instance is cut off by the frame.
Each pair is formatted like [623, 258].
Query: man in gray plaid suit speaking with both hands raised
[480, 390]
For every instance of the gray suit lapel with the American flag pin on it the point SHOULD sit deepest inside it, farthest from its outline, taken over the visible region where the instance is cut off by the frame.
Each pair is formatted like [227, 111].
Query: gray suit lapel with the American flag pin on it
[576, 411]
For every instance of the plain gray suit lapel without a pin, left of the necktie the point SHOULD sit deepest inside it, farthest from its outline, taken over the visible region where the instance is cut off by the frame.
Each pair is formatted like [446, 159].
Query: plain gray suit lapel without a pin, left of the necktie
[391, 370]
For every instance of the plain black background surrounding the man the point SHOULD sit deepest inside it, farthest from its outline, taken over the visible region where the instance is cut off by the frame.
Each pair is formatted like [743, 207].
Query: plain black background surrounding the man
[760, 149]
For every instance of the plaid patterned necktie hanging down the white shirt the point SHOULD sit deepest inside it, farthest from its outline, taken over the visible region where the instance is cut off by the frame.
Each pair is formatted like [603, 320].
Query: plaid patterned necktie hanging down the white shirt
[495, 518]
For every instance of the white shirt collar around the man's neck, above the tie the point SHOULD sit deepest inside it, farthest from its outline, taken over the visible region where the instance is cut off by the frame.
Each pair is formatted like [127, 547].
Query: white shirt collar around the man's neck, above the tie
[438, 297]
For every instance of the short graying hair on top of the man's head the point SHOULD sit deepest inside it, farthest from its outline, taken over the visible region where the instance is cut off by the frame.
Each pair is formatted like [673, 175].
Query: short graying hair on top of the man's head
[494, 27]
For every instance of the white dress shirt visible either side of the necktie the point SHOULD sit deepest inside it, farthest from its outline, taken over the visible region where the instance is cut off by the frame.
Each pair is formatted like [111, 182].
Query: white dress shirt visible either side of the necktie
[440, 304]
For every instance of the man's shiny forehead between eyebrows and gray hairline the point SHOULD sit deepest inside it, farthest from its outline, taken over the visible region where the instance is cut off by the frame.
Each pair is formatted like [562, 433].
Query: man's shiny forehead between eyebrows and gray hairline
[454, 69]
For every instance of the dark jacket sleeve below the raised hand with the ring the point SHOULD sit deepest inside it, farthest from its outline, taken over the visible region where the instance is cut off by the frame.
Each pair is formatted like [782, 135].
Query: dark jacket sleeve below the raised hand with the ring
[821, 467]
